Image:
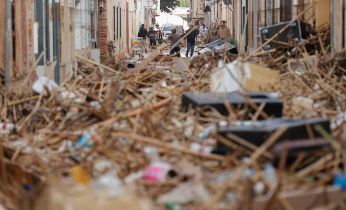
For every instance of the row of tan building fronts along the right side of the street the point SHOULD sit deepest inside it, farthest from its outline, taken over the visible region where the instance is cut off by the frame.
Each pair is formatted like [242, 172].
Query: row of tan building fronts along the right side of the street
[246, 17]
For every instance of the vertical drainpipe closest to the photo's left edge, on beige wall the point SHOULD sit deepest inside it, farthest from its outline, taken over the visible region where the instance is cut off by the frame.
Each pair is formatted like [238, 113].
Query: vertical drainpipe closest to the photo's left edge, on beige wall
[8, 41]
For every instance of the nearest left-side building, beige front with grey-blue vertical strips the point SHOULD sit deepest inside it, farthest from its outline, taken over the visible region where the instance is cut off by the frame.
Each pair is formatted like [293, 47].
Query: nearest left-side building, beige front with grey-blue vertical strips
[43, 34]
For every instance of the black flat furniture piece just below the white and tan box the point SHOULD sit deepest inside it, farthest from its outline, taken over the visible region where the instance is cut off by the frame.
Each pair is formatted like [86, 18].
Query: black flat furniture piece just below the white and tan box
[272, 103]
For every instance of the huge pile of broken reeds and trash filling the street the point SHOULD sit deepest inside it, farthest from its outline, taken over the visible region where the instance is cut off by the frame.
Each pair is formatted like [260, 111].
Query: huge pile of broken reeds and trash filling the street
[169, 137]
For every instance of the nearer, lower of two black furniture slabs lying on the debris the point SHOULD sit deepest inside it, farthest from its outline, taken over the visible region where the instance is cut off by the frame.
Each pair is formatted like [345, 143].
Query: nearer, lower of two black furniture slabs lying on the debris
[257, 132]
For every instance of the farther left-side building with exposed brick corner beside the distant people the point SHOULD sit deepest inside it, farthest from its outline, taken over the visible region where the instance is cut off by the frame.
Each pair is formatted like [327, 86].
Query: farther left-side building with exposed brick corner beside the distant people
[119, 23]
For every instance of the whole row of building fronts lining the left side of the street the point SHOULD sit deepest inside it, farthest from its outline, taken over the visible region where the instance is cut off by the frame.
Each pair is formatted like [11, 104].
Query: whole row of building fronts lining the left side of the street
[46, 35]
